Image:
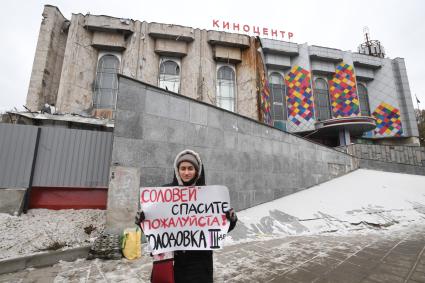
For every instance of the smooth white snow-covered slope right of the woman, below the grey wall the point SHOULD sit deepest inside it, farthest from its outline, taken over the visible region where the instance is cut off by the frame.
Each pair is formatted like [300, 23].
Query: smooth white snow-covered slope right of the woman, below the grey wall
[363, 199]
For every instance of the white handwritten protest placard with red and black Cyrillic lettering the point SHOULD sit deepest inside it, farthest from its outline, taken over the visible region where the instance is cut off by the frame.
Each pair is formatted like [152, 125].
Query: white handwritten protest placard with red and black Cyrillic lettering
[185, 218]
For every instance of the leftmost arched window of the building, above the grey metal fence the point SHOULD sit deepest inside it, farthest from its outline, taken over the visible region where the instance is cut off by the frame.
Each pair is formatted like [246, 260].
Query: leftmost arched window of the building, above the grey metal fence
[106, 85]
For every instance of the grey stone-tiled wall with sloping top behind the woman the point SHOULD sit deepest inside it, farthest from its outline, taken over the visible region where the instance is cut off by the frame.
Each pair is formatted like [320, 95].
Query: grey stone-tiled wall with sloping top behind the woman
[257, 163]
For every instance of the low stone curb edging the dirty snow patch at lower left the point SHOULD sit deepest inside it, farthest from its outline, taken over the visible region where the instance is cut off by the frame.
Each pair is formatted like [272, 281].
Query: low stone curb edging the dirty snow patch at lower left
[42, 259]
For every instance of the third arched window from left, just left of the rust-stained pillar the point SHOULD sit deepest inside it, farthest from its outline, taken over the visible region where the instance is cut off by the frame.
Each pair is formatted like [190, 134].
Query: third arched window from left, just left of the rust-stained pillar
[226, 88]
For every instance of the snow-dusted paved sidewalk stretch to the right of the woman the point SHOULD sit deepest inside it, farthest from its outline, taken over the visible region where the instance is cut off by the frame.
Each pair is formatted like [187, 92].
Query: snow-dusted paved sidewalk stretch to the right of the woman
[373, 258]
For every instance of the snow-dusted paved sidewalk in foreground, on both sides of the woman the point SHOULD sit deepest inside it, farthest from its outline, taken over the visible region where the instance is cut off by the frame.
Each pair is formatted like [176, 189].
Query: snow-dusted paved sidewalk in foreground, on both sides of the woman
[379, 256]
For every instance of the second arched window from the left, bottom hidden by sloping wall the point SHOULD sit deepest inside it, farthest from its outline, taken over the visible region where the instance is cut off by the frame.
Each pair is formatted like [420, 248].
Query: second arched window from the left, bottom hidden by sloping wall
[169, 75]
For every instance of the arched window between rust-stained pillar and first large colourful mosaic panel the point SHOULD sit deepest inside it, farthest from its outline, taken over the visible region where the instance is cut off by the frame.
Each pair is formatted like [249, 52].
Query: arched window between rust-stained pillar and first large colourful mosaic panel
[278, 96]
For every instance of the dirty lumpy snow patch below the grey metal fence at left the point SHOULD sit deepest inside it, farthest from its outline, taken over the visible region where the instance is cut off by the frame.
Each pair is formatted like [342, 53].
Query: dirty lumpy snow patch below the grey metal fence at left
[42, 230]
